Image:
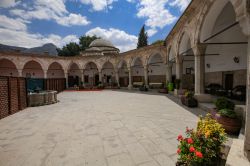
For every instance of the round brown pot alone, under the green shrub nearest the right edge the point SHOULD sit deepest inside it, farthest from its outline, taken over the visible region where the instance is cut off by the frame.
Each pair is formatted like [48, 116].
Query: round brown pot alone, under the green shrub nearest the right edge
[231, 126]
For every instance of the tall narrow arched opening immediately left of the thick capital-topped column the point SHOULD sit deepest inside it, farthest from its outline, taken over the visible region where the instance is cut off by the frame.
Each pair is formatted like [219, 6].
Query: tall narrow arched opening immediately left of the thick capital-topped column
[186, 68]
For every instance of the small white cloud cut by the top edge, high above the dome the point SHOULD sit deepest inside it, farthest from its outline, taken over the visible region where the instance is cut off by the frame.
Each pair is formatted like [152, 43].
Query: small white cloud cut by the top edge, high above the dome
[99, 5]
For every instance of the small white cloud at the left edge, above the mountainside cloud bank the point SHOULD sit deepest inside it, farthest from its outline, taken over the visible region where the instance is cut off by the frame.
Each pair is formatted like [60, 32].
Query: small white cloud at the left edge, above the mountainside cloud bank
[14, 24]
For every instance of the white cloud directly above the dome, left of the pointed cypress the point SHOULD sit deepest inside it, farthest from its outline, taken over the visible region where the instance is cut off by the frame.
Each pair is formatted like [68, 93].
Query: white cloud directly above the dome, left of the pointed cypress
[119, 38]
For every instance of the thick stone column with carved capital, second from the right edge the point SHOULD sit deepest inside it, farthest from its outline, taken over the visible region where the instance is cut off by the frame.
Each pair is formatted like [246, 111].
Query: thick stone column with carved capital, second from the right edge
[199, 63]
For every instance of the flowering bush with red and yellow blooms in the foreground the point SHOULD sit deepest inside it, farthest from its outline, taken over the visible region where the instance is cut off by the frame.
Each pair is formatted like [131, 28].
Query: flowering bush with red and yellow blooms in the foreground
[202, 147]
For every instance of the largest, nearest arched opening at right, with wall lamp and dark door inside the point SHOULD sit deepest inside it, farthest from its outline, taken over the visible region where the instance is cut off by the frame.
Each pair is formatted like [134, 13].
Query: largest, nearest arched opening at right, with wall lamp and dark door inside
[226, 50]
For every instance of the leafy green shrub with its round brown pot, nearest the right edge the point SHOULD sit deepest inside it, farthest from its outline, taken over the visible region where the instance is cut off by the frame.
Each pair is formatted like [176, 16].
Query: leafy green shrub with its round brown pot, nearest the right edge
[226, 116]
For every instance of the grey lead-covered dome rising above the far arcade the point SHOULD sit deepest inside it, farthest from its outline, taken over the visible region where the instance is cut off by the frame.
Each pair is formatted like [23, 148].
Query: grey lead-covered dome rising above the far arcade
[103, 47]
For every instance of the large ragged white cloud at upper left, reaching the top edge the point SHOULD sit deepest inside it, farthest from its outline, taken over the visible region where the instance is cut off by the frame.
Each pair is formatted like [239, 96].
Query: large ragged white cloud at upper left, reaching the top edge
[51, 10]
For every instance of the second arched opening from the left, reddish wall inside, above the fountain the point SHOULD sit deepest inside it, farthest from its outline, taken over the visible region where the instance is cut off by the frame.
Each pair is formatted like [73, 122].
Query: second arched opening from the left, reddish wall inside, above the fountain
[33, 69]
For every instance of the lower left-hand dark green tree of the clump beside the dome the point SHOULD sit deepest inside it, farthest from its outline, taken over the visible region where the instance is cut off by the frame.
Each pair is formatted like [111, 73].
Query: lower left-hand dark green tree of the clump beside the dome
[71, 49]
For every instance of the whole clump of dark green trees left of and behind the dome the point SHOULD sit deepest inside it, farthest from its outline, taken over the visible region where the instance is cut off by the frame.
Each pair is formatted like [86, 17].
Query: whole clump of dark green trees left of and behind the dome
[74, 49]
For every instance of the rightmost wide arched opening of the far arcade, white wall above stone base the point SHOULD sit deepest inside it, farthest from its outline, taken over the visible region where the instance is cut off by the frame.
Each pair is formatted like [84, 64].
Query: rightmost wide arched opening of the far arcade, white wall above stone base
[156, 71]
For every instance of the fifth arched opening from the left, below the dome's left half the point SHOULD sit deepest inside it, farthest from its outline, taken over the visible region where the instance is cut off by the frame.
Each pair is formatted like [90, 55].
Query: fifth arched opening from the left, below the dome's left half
[91, 75]
